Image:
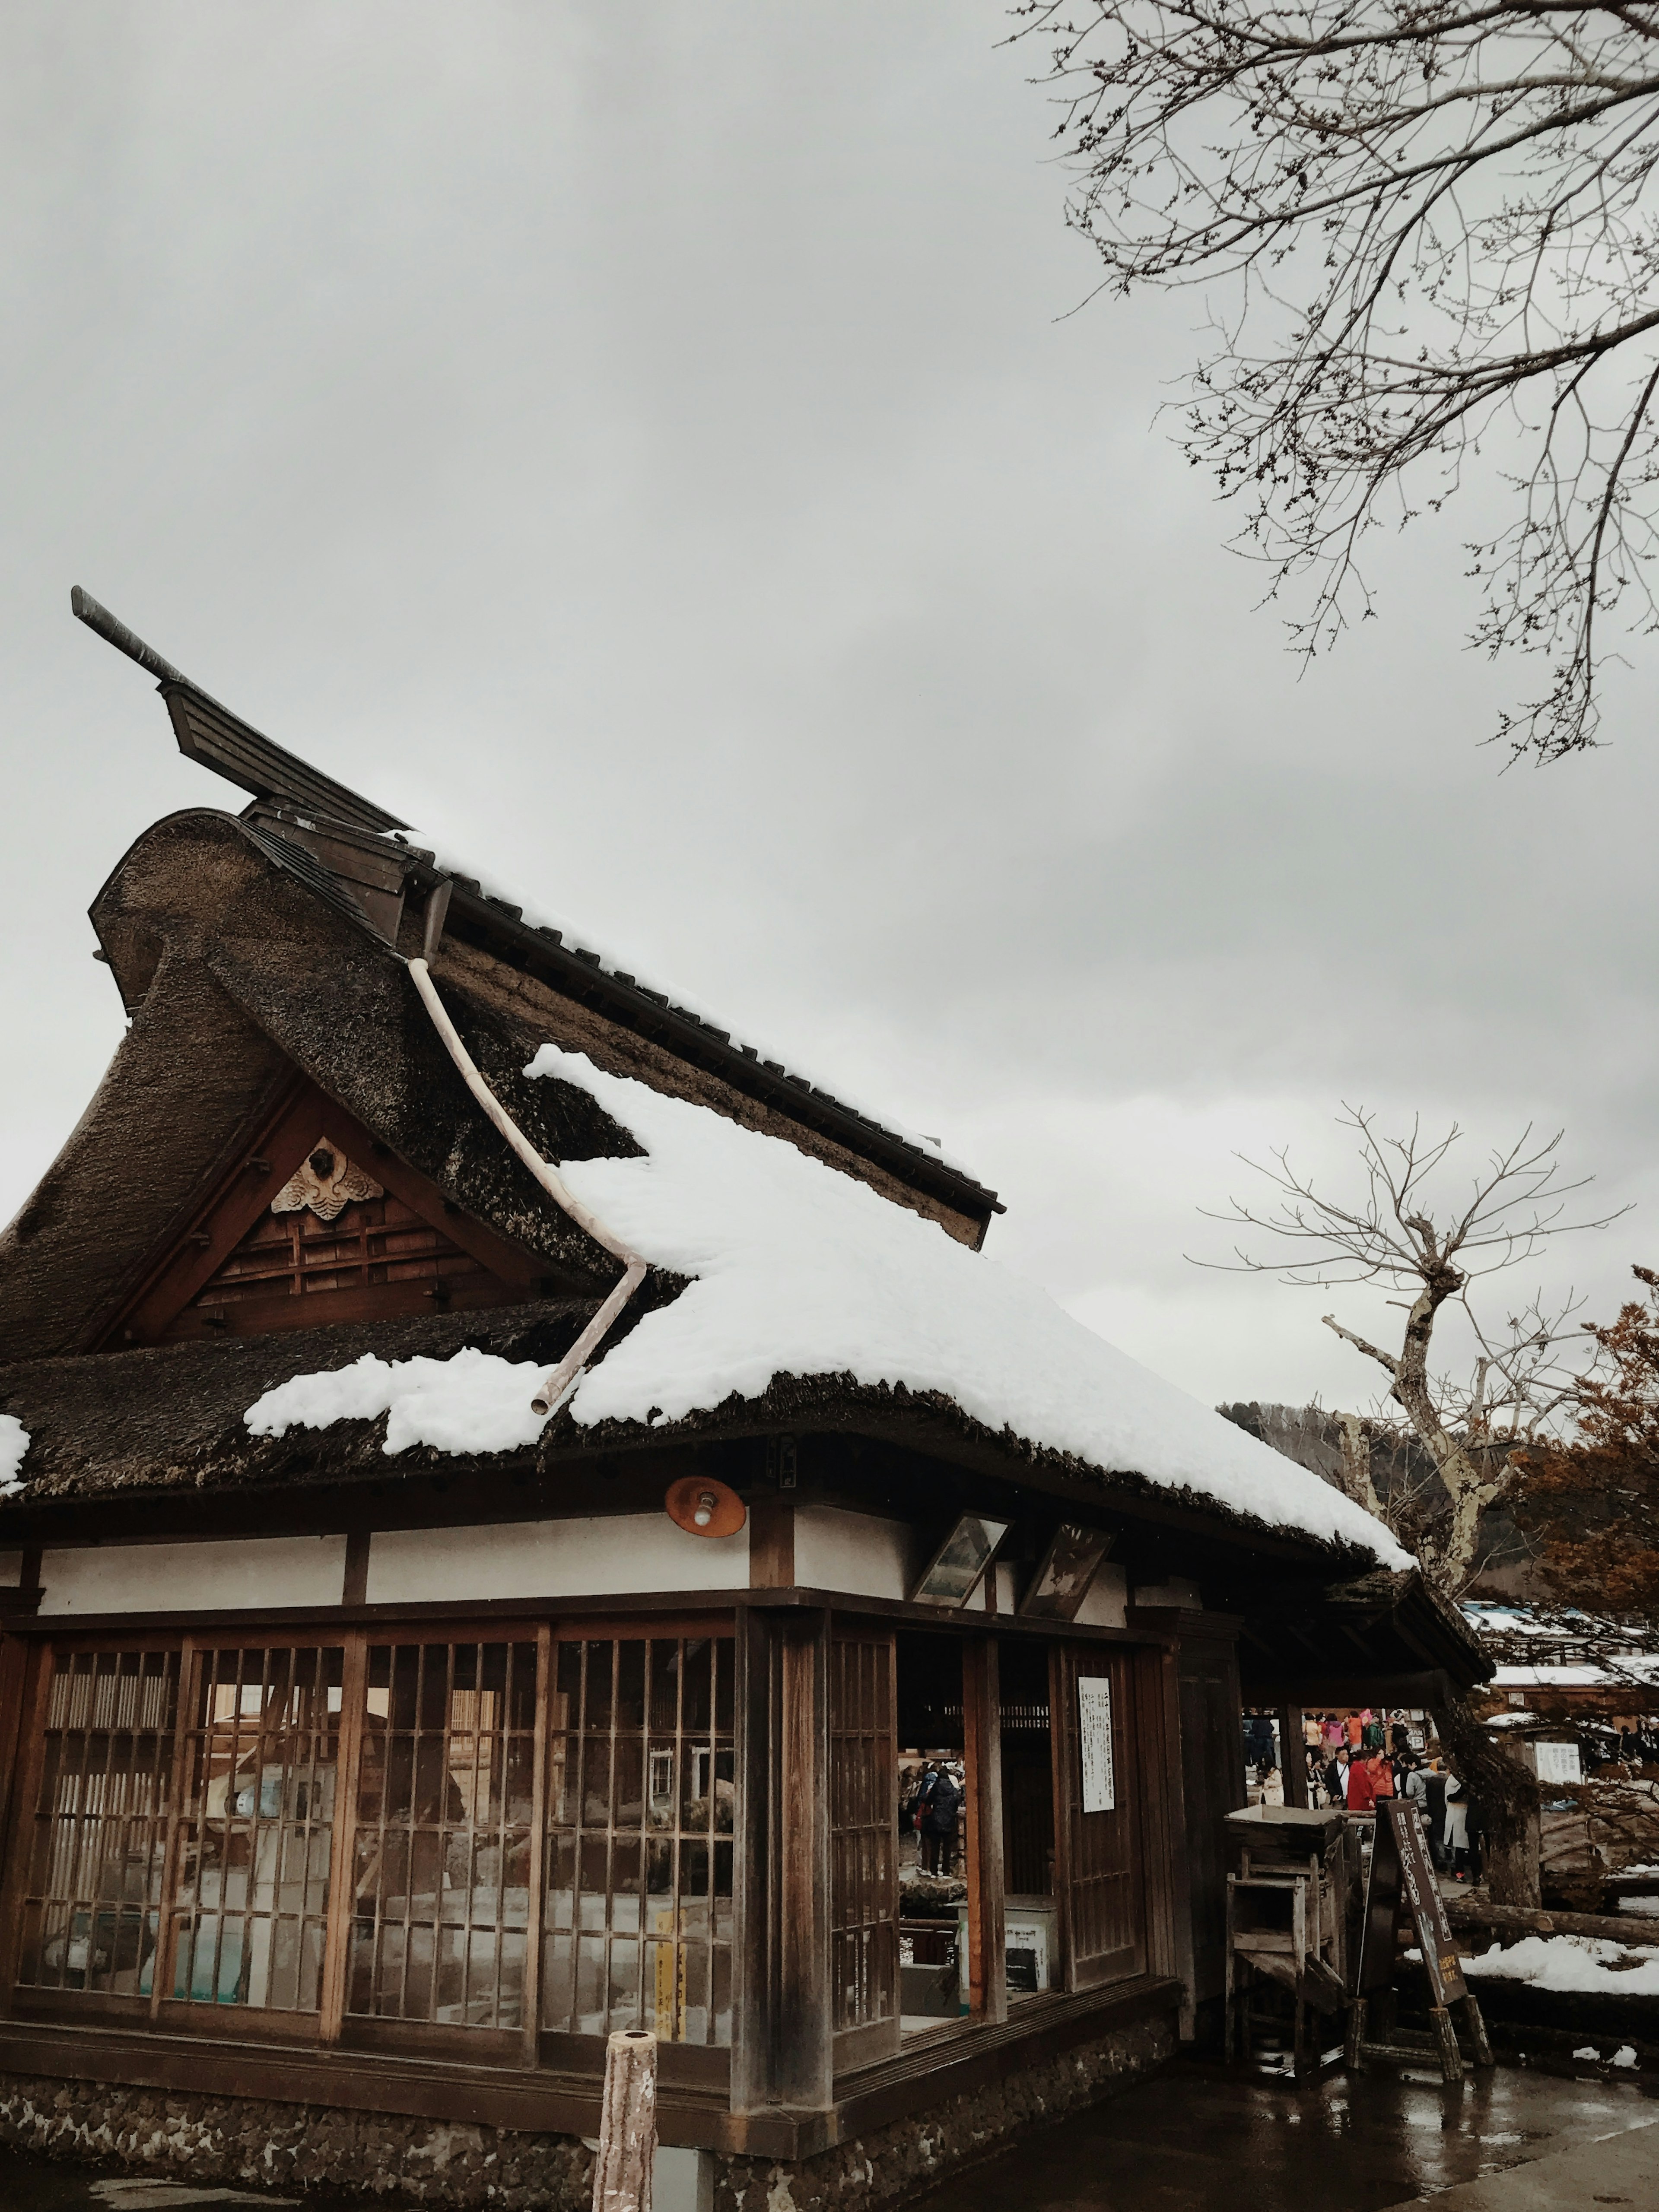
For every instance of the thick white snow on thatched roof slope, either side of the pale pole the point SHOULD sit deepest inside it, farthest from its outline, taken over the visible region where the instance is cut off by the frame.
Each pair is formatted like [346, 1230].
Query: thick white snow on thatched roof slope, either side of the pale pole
[802, 1271]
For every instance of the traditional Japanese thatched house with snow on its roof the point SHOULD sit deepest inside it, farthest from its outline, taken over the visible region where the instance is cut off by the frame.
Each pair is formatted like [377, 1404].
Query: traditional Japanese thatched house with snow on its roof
[375, 1742]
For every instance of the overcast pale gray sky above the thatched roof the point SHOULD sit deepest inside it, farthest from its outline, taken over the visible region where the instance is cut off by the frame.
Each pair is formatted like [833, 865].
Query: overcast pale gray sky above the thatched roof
[654, 446]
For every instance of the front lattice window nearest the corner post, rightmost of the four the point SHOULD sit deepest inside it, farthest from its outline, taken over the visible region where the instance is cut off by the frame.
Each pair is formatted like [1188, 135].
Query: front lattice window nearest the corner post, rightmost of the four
[640, 1839]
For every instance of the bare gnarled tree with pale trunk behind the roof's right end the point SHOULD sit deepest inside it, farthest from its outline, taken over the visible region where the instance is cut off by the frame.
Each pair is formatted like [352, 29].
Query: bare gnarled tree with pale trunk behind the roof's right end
[1386, 1235]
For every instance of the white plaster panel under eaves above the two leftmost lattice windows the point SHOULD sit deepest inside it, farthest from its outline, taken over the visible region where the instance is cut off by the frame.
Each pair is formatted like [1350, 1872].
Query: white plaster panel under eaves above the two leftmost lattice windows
[196, 1578]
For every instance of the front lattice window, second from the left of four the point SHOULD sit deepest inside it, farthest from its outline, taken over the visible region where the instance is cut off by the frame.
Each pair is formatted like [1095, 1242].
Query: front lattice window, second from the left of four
[251, 1859]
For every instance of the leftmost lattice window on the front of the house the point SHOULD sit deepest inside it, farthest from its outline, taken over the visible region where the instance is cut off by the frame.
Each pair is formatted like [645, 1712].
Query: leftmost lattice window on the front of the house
[101, 1824]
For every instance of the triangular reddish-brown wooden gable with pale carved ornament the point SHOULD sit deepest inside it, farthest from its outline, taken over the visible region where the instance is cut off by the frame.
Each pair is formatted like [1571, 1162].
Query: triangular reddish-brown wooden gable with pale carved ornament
[315, 1224]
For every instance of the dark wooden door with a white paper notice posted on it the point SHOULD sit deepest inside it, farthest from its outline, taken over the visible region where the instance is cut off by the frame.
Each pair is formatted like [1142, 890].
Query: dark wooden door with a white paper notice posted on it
[1098, 1859]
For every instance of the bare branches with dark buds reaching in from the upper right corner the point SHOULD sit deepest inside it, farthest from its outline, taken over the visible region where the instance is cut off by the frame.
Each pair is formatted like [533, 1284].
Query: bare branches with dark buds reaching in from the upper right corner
[1432, 233]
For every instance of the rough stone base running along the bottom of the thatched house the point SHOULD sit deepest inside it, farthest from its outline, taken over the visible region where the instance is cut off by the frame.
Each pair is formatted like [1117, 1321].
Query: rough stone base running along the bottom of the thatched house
[317, 2151]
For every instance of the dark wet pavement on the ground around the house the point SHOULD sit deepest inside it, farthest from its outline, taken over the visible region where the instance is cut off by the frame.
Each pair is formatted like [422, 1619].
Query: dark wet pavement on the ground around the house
[1200, 2140]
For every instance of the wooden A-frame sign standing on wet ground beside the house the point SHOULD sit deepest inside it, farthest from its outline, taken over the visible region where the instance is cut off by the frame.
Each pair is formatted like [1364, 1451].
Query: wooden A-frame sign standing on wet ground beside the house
[1404, 1890]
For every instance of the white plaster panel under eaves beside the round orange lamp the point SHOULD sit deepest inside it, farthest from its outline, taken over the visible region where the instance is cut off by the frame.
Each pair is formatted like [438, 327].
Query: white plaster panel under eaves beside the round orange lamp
[601, 1556]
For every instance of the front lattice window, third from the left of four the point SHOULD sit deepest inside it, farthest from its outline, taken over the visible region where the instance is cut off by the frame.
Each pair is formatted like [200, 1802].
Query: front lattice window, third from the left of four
[444, 1835]
